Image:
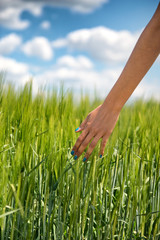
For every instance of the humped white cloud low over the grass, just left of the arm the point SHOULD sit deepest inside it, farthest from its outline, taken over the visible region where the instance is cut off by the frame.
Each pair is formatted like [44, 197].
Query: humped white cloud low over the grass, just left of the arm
[78, 73]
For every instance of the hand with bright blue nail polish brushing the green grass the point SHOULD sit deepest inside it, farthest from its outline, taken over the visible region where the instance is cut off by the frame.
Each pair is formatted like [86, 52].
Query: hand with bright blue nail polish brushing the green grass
[98, 124]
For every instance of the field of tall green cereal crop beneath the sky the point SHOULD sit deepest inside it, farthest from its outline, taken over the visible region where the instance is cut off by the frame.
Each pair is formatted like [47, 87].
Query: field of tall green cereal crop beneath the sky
[46, 194]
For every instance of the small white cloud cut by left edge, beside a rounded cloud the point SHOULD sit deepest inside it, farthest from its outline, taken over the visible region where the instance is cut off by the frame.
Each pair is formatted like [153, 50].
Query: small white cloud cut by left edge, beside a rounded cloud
[9, 43]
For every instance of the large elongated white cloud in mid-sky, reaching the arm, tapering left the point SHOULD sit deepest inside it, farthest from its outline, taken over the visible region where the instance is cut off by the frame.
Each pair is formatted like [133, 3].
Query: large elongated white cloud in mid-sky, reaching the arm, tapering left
[101, 43]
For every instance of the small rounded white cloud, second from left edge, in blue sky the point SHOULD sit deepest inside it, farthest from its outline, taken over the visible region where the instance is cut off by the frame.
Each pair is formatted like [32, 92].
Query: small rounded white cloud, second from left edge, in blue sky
[39, 47]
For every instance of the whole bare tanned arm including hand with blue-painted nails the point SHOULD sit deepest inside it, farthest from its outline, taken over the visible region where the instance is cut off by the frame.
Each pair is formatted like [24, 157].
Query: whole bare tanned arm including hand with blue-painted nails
[100, 123]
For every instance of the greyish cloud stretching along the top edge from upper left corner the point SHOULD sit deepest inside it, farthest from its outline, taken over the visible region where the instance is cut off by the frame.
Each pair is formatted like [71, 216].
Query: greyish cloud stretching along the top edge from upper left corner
[10, 10]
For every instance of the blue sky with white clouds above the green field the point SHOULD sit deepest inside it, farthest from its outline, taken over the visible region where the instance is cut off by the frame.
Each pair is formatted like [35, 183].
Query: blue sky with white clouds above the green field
[85, 44]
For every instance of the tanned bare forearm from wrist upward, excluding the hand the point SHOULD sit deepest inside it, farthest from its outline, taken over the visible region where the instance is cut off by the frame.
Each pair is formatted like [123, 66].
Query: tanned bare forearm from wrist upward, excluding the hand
[143, 56]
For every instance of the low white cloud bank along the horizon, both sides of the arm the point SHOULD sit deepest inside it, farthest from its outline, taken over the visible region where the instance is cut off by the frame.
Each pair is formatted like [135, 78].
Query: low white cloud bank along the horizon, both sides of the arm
[77, 73]
